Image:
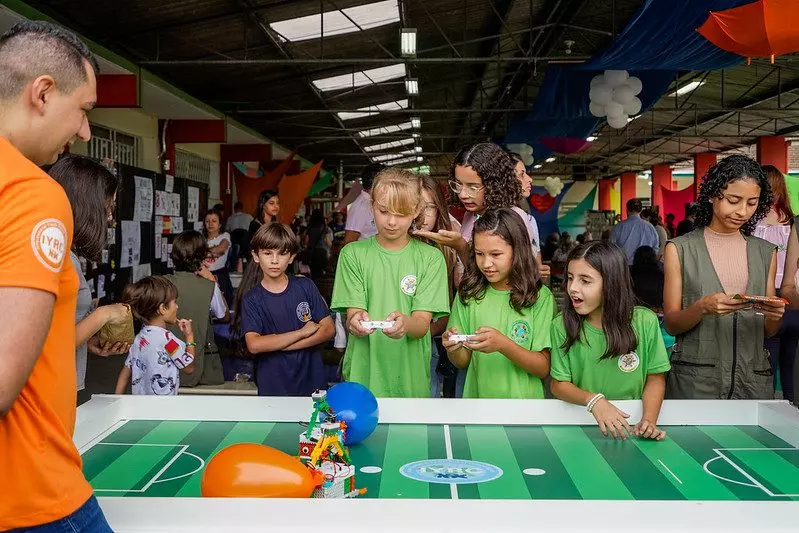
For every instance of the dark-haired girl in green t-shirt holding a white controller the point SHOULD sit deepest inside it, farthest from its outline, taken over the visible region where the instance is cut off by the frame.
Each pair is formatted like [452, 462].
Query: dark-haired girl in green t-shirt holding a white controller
[503, 304]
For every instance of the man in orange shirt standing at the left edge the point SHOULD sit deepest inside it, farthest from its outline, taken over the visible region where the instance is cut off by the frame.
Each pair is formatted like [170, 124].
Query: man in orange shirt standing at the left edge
[47, 85]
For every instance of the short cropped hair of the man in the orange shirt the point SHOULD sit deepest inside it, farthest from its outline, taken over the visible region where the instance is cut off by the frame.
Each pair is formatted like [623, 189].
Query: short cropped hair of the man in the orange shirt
[34, 48]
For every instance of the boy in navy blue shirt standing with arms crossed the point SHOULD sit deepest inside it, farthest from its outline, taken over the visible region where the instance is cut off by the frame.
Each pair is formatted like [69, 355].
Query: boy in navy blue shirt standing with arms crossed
[284, 319]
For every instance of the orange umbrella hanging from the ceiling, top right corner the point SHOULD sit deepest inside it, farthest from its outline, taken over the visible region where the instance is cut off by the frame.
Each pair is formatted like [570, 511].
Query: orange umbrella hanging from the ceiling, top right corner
[765, 28]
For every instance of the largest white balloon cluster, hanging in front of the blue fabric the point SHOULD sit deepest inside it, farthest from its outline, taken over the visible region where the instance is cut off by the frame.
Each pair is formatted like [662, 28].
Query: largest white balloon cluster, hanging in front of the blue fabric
[614, 94]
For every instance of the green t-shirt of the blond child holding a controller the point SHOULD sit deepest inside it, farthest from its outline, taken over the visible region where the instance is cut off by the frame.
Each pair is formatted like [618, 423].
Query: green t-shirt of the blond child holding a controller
[381, 281]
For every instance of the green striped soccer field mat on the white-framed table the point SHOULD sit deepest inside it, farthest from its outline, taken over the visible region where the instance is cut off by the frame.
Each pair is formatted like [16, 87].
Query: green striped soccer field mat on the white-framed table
[153, 458]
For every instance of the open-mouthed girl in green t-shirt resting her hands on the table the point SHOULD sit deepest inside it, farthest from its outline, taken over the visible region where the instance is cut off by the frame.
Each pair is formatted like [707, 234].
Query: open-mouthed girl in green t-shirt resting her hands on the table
[608, 352]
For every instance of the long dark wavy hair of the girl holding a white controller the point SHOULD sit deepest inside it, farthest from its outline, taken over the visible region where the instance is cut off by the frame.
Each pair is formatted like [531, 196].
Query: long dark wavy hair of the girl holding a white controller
[524, 279]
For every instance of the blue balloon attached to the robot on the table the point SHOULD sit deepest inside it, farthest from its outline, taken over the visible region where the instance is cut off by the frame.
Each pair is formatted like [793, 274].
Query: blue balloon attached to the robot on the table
[357, 406]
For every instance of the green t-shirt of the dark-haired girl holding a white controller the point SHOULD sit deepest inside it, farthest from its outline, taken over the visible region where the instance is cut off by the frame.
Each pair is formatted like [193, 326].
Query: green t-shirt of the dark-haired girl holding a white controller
[492, 375]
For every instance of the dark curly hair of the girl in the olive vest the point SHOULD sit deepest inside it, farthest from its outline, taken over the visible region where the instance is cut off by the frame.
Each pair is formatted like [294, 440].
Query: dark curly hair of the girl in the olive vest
[730, 169]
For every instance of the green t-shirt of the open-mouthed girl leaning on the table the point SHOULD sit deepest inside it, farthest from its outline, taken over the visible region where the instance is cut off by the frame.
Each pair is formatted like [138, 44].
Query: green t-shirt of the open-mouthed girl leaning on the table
[618, 378]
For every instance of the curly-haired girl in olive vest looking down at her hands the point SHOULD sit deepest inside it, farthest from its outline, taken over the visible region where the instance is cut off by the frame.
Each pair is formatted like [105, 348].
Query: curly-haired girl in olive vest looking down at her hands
[719, 351]
